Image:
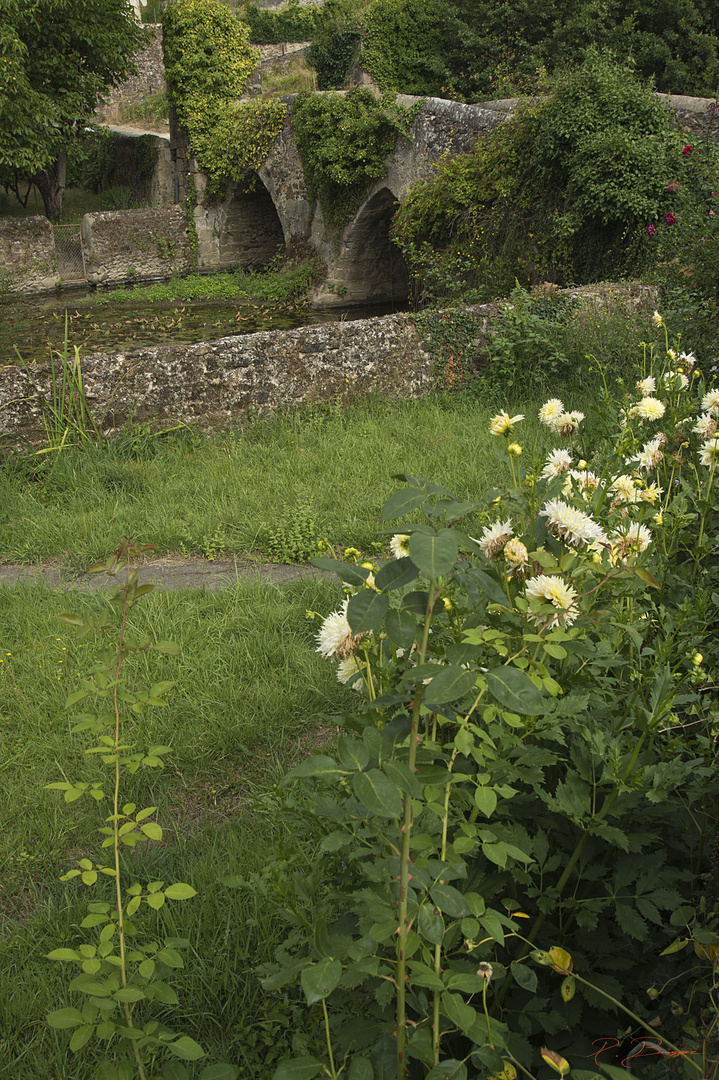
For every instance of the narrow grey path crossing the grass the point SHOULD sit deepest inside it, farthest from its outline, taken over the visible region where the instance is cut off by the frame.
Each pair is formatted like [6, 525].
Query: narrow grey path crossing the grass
[167, 573]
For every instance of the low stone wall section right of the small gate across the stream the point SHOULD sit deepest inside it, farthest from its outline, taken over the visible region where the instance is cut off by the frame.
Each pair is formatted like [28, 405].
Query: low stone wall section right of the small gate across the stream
[134, 245]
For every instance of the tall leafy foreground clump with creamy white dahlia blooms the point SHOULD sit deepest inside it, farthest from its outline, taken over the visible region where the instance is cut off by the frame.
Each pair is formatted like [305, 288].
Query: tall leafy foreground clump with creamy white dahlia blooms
[514, 825]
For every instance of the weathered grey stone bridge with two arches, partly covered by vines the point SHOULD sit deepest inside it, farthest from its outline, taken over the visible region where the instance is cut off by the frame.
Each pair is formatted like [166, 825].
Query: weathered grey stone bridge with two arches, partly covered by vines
[365, 267]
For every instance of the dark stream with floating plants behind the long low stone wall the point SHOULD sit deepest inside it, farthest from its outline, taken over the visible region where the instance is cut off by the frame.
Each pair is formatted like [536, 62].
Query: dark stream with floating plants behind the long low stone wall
[34, 327]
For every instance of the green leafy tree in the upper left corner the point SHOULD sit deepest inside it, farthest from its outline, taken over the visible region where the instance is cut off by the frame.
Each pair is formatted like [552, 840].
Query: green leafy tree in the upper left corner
[58, 58]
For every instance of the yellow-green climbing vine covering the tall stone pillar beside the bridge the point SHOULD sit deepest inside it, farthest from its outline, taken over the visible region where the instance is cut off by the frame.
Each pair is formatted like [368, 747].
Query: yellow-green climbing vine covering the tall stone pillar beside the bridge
[208, 61]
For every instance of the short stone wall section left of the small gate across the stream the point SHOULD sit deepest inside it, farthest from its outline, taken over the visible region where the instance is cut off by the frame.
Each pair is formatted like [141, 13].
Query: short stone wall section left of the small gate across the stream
[29, 263]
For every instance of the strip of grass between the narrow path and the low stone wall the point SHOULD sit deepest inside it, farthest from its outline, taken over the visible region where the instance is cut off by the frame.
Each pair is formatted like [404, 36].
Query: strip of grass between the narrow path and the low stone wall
[273, 489]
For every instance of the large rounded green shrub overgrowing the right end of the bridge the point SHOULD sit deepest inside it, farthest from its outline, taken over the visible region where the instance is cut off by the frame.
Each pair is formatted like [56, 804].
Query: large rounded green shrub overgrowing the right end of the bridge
[562, 192]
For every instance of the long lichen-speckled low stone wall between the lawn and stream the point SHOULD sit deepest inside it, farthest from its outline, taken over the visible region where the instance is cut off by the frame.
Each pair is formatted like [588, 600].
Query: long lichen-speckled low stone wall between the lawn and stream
[215, 383]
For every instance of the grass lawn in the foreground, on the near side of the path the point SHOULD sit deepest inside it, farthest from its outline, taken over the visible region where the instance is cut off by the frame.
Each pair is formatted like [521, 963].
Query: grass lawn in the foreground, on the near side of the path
[250, 690]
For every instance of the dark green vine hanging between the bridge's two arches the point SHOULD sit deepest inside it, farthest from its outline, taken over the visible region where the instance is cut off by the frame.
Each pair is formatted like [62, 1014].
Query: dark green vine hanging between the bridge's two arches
[344, 143]
